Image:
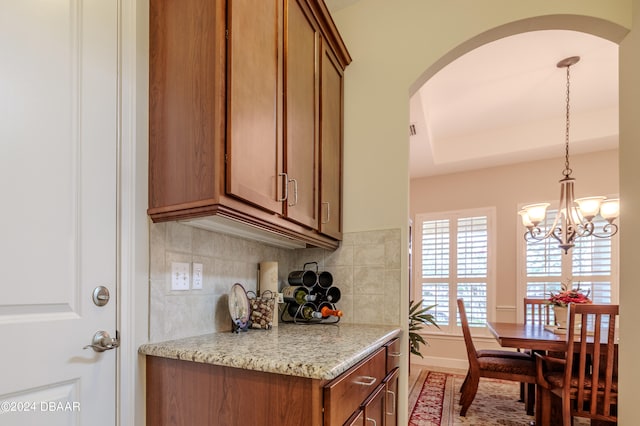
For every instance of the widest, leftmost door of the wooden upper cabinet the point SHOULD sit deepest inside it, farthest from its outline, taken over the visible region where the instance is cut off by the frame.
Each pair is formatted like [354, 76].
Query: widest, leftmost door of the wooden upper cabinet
[254, 103]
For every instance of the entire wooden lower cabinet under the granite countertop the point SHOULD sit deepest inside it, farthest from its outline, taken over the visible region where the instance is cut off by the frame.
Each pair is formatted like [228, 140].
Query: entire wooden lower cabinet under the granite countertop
[181, 392]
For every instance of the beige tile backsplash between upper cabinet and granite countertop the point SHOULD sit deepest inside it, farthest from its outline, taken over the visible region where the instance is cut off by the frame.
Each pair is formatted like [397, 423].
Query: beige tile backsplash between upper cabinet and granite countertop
[366, 268]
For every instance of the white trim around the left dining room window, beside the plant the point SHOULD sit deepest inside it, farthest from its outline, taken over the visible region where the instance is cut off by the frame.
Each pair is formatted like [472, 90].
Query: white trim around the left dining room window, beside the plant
[490, 213]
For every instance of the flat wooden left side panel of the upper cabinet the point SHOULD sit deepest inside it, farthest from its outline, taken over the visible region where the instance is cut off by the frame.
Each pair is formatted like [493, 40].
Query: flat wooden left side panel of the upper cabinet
[186, 104]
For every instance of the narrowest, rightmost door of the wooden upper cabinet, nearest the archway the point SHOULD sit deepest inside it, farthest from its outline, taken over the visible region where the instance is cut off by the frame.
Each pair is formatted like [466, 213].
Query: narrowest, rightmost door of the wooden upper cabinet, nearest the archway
[331, 130]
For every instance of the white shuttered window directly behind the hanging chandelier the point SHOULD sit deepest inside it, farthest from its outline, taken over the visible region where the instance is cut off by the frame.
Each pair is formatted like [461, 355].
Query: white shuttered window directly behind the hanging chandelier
[591, 264]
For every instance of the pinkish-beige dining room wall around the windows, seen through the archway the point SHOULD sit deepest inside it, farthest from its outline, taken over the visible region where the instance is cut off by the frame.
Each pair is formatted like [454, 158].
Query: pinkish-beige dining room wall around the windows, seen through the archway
[504, 188]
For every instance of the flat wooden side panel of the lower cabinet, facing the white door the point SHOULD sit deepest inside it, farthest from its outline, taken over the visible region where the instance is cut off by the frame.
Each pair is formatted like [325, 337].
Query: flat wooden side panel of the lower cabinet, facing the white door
[196, 394]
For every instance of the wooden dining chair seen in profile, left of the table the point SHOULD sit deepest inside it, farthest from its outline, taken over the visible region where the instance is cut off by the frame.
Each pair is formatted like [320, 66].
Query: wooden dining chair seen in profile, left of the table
[496, 364]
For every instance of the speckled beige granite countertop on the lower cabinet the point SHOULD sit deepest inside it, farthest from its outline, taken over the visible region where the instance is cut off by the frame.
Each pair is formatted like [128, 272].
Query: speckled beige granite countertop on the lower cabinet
[316, 351]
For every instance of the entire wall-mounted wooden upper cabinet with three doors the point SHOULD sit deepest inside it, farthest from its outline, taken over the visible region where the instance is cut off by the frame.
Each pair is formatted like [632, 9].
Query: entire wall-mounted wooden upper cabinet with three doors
[245, 115]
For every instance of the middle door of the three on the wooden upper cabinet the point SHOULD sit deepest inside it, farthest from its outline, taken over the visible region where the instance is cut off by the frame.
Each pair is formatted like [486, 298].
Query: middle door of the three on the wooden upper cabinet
[301, 113]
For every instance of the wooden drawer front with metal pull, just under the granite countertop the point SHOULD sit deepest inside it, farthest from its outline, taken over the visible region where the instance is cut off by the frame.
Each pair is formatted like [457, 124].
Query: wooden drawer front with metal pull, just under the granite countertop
[345, 394]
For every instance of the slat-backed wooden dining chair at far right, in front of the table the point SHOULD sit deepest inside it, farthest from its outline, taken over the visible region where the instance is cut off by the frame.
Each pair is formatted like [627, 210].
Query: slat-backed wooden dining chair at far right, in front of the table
[588, 381]
